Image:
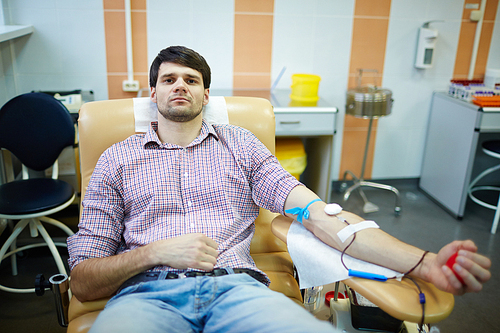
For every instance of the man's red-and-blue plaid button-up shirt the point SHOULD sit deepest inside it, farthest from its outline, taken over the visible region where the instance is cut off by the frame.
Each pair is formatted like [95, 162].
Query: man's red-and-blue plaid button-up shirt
[142, 191]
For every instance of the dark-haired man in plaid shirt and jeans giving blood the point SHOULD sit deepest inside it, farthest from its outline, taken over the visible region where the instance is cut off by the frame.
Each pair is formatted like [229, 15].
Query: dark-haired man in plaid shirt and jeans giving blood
[180, 201]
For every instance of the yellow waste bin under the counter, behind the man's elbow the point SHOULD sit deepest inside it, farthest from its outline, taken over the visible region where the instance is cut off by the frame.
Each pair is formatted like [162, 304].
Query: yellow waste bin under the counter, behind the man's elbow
[291, 155]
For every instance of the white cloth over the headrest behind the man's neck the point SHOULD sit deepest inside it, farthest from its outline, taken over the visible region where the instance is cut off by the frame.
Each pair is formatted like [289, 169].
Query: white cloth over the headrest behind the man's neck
[145, 111]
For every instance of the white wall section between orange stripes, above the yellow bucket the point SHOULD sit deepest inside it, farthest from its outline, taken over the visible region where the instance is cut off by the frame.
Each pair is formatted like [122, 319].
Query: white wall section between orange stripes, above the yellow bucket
[315, 37]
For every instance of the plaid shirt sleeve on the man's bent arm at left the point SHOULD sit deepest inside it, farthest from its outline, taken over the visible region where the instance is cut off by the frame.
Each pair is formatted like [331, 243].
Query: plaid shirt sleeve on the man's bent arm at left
[101, 222]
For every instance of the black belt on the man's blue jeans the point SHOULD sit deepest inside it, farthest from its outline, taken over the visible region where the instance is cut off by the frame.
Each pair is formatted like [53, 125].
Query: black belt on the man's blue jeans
[153, 276]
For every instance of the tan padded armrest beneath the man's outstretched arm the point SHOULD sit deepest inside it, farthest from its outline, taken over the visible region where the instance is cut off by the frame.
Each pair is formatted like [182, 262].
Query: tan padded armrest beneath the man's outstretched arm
[399, 299]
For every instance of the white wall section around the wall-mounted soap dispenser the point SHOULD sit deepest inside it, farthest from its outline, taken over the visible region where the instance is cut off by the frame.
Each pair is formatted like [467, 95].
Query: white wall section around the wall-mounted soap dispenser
[401, 136]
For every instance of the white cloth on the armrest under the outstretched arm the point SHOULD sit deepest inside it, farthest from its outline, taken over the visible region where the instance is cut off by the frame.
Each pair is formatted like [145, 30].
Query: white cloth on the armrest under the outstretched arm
[319, 264]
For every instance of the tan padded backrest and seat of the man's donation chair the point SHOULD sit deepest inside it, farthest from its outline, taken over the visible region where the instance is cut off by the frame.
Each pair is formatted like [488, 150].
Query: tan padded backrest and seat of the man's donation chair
[105, 122]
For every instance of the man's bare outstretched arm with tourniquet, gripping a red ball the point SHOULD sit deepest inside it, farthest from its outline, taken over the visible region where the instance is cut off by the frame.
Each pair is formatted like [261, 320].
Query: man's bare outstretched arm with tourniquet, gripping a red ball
[378, 247]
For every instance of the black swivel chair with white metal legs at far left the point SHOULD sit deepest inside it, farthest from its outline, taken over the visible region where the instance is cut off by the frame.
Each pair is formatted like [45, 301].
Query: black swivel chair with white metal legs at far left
[35, 127]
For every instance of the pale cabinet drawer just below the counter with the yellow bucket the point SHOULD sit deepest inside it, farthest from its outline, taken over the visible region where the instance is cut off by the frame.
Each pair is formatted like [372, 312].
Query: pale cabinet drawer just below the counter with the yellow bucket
[304, 123]
